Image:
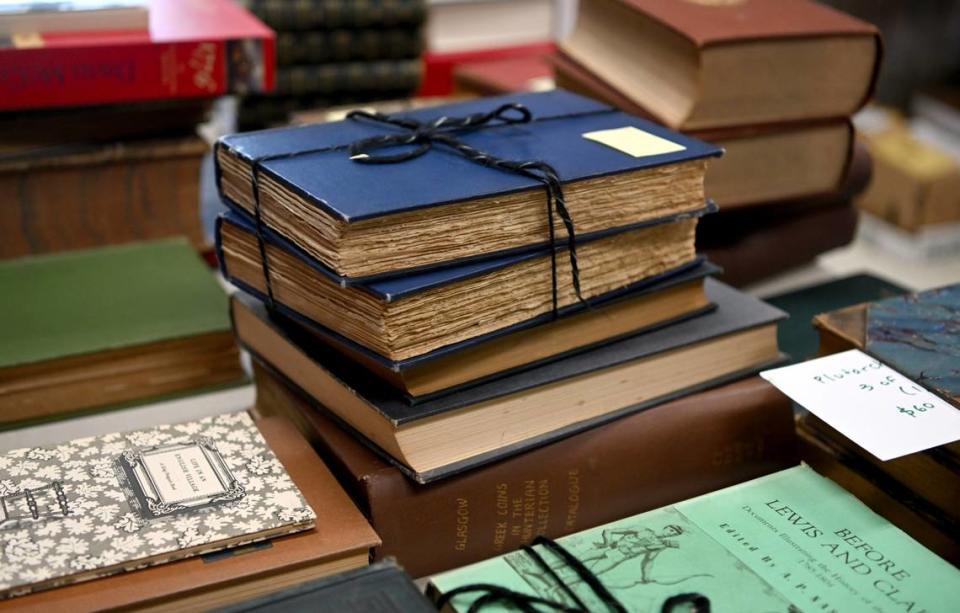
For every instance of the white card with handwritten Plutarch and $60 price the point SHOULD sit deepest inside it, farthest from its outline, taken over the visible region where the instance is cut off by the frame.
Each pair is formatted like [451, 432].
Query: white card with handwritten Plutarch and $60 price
[870, 403]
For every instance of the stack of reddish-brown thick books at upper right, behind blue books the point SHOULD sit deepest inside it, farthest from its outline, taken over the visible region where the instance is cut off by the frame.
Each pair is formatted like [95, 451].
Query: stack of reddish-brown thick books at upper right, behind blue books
[773, 82]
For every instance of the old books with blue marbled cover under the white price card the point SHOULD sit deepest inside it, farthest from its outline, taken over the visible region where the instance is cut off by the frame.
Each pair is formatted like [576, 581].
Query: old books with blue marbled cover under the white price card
[915, 334]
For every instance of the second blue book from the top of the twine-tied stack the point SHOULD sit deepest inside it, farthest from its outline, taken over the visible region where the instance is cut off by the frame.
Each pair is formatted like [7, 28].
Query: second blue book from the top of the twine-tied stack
[402, 319]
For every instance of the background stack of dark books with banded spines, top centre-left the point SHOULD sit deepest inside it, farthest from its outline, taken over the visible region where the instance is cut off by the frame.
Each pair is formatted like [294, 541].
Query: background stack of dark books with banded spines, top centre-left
[336, 52]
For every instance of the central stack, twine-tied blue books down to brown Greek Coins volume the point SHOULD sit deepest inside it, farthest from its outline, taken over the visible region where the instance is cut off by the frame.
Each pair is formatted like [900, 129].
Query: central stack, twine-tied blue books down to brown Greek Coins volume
[423, 307]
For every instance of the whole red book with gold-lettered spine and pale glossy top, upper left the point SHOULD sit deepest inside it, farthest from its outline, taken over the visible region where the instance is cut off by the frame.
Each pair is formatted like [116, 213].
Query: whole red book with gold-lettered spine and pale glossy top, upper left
[191, 49]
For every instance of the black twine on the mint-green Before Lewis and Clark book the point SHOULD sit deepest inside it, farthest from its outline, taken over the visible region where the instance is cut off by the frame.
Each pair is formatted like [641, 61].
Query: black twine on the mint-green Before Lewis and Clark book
[494, 594]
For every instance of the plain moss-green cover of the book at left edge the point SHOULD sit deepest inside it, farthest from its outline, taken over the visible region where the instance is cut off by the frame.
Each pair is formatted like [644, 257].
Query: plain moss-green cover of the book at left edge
[83, 302]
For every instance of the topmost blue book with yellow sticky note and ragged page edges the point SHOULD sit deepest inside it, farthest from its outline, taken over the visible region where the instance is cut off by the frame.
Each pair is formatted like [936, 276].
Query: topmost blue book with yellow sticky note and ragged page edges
[454, 192]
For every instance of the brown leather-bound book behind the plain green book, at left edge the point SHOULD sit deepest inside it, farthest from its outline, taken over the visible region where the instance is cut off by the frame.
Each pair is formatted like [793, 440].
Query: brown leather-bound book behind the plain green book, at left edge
[81, 196]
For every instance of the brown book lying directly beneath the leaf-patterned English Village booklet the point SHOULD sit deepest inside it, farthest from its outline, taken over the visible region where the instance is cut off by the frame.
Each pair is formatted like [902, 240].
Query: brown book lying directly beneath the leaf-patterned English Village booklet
[341, 541]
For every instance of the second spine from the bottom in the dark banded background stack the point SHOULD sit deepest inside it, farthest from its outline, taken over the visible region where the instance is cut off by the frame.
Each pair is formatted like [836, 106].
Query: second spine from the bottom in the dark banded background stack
[352, 77]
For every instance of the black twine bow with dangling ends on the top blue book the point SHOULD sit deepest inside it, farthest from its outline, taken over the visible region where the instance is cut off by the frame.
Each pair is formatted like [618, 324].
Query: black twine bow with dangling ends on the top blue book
[420, 137]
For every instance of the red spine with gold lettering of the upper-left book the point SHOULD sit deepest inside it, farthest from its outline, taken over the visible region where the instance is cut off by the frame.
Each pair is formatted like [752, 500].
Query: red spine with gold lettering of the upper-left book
[102, 74]
